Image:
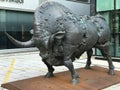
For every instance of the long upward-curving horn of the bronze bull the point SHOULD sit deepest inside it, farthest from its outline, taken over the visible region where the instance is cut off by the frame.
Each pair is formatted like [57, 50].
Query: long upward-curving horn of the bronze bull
[19, 43]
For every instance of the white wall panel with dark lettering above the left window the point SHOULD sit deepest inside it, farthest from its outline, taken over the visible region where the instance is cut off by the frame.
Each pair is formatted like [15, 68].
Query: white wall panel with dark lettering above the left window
[27, 5]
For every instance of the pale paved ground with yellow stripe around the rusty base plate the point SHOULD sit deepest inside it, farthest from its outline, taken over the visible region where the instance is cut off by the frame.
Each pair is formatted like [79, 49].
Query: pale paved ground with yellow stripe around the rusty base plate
[20, 66]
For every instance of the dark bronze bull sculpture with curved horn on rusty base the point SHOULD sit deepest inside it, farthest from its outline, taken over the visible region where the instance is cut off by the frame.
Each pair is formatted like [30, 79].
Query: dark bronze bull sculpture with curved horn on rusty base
[61, 36]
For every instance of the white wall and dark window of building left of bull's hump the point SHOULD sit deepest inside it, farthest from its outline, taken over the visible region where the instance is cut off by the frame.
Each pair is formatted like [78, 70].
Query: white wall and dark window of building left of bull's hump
[16, 18]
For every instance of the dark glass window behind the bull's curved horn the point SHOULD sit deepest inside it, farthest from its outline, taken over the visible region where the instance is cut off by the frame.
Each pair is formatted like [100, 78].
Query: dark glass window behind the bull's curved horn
[17, 24]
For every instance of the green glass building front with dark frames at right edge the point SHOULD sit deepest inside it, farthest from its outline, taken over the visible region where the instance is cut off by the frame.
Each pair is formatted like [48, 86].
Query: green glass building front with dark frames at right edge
[110, 9]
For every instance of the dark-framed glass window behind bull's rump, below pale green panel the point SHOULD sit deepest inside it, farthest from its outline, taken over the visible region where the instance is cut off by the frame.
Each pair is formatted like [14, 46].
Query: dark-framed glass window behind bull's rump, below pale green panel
[115, 32]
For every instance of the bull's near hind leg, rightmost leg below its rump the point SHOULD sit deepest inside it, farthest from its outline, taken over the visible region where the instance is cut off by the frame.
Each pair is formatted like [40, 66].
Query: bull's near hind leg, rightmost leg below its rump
[105, 52]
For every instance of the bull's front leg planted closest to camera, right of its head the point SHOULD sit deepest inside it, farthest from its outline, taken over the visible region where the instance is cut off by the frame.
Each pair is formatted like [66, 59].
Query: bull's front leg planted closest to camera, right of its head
[68, 63]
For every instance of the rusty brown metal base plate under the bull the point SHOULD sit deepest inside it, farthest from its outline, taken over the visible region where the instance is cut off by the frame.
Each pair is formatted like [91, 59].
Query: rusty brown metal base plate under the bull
[94, 79]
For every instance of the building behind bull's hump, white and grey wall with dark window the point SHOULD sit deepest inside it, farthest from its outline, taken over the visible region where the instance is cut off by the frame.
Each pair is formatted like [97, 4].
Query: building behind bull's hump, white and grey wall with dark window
[16, 17]
